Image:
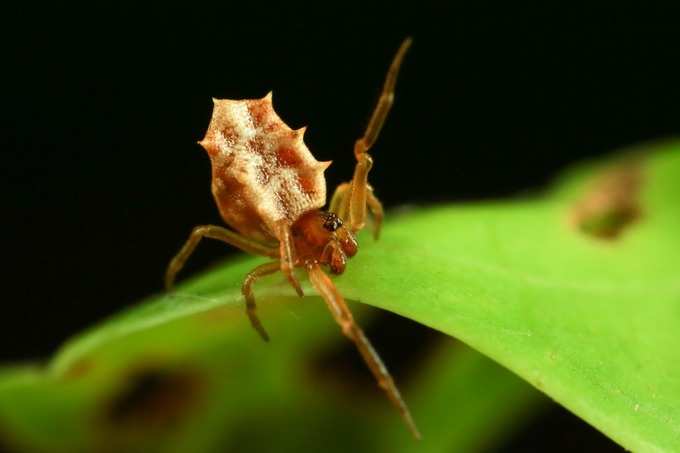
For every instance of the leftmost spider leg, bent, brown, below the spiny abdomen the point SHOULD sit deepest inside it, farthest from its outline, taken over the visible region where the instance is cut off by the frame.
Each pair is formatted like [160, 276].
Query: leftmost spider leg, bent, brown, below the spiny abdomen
[220, 234]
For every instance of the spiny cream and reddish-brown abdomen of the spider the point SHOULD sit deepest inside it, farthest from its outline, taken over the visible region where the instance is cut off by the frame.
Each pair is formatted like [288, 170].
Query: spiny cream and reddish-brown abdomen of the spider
[263, 174]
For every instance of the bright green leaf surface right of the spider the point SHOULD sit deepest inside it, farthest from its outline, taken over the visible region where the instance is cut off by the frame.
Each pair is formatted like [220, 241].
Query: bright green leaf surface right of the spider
[592, 322]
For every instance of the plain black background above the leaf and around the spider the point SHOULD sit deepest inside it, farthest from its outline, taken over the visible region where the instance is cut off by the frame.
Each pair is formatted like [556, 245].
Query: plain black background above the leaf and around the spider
[102, 179]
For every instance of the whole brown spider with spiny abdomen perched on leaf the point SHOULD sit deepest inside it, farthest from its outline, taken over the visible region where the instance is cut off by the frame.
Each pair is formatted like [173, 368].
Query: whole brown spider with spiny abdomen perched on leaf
[271, 191]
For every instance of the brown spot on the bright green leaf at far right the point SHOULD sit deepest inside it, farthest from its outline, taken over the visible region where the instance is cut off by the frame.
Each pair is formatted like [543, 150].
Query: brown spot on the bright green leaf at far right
[612, 204]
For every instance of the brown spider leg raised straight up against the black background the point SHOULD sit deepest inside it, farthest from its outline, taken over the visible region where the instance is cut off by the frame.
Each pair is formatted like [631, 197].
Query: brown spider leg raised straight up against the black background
[359, 191]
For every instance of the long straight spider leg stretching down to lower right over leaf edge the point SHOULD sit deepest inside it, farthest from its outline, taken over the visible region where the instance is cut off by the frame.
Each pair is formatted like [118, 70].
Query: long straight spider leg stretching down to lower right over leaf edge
[336, 304]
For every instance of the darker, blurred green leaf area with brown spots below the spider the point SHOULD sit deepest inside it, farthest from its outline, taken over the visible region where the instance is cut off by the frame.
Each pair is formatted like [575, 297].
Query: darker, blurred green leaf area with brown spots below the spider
[187, 374]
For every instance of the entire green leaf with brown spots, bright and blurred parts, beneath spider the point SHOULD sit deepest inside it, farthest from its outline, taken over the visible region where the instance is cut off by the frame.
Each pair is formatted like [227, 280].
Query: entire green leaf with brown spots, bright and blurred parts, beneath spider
[581, 298]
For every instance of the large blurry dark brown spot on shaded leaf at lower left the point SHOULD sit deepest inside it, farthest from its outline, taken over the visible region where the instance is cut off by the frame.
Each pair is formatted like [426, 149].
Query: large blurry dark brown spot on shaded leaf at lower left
[154, 398]
